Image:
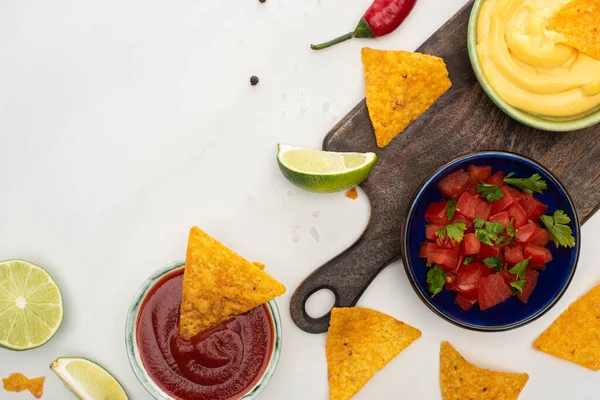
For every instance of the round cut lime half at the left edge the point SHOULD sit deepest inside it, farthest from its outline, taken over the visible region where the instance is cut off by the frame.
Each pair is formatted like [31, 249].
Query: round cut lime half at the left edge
[31, 307]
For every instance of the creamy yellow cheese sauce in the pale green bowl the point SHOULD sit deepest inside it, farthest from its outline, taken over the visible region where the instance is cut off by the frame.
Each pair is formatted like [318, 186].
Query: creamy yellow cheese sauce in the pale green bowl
[531, 67]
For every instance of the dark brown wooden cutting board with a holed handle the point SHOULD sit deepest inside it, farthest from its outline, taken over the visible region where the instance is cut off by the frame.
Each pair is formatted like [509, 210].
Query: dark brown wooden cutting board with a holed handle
[462, 121]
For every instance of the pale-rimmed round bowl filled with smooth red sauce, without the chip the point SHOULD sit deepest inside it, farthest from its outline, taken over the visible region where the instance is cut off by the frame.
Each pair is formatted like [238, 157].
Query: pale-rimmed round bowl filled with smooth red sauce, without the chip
[233, 360]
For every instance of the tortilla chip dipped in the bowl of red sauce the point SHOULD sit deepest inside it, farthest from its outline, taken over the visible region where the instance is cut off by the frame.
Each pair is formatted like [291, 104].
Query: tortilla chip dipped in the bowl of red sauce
[219, 284]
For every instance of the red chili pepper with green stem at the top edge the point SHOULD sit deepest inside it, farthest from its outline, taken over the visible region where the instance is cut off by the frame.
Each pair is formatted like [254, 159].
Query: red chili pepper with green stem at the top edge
[383, 17]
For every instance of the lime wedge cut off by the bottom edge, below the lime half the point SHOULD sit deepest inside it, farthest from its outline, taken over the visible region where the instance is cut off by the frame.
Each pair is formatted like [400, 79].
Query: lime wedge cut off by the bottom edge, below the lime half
[87, 380]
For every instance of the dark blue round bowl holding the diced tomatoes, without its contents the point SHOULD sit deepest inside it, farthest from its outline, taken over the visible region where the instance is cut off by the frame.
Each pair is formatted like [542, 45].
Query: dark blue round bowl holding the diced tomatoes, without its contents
[552, 283]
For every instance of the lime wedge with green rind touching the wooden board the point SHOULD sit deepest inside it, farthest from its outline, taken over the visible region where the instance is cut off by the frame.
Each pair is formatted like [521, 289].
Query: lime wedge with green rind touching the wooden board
[323, 171]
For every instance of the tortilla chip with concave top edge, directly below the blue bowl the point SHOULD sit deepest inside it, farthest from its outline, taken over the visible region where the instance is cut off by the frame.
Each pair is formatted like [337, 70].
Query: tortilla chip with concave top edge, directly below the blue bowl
[462, 380]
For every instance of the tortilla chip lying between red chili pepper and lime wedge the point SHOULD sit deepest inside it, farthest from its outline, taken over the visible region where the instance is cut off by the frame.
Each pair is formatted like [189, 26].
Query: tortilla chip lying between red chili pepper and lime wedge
[400, 87]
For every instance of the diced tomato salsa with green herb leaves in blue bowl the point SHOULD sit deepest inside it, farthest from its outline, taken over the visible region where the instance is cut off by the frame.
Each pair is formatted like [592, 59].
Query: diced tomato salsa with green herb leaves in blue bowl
[502, 246]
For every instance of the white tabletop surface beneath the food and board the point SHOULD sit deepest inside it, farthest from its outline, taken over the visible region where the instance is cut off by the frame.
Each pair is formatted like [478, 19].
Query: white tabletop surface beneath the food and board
[123, 123]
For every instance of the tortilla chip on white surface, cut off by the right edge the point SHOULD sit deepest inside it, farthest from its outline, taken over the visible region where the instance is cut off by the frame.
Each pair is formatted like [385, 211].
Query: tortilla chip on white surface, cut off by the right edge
[575, 335]
